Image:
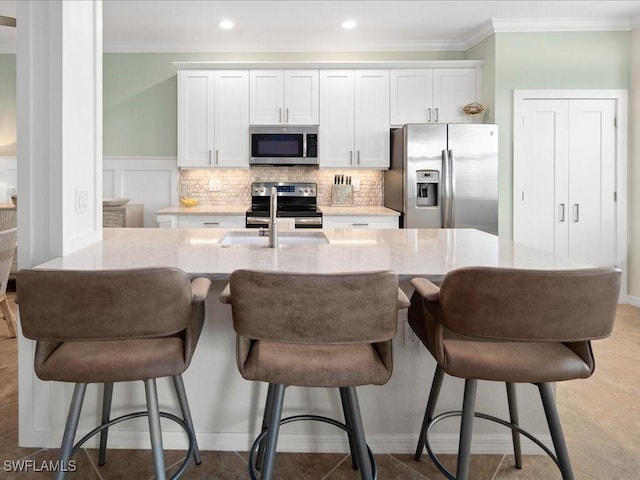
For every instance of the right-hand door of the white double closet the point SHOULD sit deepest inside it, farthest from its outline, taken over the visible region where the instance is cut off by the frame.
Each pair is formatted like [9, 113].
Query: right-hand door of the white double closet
[592, 183]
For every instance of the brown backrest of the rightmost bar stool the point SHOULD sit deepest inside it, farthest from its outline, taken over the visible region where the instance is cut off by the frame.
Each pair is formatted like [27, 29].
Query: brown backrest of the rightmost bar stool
[530, 305]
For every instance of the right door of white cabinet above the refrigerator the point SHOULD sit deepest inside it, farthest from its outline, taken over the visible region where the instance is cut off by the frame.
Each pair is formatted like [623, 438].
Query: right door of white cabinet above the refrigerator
[453, 88]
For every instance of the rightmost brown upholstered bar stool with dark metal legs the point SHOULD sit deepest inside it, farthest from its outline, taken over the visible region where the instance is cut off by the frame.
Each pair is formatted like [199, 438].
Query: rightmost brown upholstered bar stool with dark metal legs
[512, 326]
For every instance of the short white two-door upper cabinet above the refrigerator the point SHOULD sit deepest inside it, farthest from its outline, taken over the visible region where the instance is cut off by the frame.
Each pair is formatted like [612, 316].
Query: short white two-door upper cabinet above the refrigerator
[432, 95]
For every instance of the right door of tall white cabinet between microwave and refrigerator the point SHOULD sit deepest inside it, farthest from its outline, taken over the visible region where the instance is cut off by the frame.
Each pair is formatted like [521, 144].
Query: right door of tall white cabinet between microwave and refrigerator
[371, 122]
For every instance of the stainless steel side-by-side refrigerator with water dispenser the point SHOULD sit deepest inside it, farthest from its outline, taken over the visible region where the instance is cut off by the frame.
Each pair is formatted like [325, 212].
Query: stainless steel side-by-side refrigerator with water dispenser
[444, 176]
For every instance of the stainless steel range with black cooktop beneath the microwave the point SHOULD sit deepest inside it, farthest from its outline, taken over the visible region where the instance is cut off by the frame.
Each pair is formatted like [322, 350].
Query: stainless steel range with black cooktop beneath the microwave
[295, 200]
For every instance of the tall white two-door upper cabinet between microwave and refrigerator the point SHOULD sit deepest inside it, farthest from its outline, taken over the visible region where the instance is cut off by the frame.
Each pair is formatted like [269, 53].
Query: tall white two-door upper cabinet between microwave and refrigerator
[354, 114]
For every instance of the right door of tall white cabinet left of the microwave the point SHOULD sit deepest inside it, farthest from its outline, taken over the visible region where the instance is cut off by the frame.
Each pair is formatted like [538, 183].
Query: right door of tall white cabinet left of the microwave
[231, 118]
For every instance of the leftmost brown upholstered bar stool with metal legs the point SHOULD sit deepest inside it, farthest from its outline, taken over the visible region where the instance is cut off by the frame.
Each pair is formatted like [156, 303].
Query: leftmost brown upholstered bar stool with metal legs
[114, 326]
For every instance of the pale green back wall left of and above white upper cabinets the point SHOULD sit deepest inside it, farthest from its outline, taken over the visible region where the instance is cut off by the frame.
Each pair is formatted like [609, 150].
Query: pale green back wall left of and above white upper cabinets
[140, 107]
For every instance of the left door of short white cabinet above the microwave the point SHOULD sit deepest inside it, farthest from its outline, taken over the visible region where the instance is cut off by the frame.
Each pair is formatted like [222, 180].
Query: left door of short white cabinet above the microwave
[266, 97]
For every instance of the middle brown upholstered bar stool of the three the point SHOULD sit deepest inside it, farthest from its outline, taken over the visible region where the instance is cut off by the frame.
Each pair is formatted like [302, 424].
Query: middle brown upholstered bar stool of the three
[321, 330]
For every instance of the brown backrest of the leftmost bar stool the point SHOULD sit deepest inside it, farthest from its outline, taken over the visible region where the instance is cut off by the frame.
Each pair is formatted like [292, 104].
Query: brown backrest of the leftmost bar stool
[78, 305]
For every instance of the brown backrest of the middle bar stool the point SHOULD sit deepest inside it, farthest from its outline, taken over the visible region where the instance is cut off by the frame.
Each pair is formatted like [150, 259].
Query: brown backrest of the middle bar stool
[337, 308]
